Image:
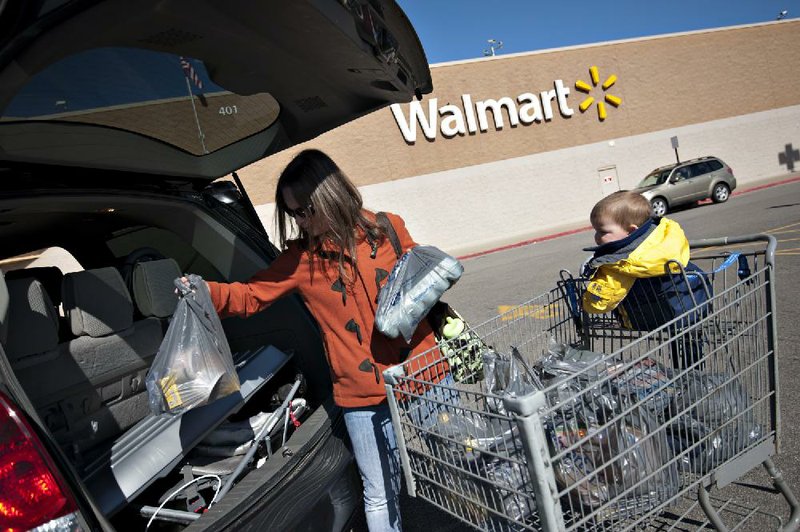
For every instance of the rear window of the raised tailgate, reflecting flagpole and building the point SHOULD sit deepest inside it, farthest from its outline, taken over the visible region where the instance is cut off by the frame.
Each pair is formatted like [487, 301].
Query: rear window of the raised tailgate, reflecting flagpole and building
[159, 95]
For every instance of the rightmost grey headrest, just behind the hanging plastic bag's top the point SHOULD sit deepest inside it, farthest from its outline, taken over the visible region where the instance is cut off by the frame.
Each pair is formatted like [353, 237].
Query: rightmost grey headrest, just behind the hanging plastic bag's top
[153, 287]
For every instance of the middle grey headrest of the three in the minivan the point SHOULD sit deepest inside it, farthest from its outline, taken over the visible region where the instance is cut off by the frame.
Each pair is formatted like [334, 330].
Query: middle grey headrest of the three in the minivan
[97, 302]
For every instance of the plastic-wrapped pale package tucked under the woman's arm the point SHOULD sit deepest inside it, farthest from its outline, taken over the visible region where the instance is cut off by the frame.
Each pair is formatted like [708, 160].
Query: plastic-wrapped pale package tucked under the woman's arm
[418, 280]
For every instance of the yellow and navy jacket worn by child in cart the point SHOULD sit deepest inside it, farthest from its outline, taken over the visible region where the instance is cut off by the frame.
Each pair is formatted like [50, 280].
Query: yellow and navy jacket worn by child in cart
[644, 253]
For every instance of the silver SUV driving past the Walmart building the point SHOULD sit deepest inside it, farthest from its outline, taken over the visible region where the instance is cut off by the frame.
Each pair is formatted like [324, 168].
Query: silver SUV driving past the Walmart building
[678, 184]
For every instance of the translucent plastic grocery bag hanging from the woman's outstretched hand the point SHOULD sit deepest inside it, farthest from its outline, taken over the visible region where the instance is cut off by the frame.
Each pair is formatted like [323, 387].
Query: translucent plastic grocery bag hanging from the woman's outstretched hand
[193, 366]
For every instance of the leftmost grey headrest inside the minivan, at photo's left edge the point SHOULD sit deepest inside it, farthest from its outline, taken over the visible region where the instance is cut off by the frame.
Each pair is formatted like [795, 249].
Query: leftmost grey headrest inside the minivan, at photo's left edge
[33, 320]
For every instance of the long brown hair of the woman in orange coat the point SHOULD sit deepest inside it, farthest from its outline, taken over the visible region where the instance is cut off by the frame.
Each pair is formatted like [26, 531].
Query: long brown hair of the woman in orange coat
[316, 180]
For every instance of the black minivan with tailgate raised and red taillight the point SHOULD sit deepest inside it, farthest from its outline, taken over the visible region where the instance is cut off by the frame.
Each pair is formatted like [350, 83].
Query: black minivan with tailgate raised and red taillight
[121, 128]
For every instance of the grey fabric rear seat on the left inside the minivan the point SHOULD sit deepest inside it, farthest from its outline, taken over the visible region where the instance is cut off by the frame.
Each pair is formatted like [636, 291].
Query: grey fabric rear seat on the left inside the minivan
[91, 388]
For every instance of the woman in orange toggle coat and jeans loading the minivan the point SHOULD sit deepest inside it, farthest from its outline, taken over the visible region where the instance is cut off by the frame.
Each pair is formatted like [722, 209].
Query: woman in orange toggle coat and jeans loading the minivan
[338, 263]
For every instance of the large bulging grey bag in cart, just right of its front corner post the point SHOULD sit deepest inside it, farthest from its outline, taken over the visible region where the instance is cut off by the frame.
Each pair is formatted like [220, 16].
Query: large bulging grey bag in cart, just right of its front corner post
[604, 460]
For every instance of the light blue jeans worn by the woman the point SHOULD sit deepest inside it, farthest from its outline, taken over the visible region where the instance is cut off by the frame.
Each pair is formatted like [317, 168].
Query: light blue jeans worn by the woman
[375, 449]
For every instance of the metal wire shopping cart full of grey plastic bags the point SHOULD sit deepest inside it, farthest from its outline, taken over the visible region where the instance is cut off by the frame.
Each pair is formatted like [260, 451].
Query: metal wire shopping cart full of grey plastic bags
[581, 422]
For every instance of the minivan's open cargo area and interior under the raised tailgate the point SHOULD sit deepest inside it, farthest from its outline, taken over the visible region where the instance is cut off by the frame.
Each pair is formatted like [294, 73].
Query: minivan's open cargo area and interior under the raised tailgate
[81, 342]
